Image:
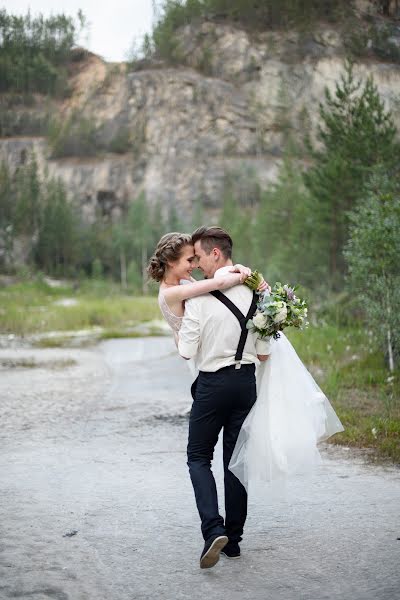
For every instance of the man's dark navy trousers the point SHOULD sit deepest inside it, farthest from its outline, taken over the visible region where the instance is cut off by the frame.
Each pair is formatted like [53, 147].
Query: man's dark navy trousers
[221, 400]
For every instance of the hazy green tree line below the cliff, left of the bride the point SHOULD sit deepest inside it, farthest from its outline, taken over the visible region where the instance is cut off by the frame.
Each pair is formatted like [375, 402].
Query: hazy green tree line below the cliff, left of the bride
[39, 222]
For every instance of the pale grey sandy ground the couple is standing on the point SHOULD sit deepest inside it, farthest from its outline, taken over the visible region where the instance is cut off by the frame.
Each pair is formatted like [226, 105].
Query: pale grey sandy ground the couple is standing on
[99, 448]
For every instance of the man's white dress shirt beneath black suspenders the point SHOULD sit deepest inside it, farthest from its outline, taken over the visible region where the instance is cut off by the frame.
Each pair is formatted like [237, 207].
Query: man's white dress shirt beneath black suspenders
[211, 332]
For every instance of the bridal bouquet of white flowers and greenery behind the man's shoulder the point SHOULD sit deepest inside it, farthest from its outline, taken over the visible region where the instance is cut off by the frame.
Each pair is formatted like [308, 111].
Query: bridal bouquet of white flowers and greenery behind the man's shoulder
[276, 310]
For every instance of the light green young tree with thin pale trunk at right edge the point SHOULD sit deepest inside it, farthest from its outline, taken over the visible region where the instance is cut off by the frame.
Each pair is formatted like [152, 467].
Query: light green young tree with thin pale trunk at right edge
[372, 254]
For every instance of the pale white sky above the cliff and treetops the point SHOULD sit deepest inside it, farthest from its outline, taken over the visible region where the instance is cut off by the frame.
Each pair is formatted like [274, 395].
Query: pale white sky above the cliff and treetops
[114, 25]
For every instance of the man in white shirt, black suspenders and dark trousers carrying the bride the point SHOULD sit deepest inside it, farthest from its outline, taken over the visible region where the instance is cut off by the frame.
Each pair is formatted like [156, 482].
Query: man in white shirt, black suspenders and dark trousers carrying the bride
[226, 354]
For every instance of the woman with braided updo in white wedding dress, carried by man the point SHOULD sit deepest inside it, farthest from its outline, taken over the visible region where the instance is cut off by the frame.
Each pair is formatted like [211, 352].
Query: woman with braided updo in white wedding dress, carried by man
[280, 435]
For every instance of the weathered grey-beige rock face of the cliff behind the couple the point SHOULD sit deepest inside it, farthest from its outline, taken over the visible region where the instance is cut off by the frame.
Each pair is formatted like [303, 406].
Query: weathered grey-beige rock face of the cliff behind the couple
[226, 113]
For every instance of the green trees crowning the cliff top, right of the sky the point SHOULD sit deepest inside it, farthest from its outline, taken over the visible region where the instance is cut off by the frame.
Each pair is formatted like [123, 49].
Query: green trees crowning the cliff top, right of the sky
[362, 34]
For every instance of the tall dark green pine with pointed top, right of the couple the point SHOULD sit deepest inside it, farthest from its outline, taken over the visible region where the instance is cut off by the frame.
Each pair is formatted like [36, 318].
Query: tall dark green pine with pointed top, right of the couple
[356, 134]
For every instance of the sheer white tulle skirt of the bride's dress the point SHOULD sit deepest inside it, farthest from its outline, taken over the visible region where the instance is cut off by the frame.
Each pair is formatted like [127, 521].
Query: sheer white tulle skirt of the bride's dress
[291, 415]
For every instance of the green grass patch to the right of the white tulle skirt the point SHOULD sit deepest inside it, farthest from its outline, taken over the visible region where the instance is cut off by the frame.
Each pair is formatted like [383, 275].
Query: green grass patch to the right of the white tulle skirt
[351, 370]
